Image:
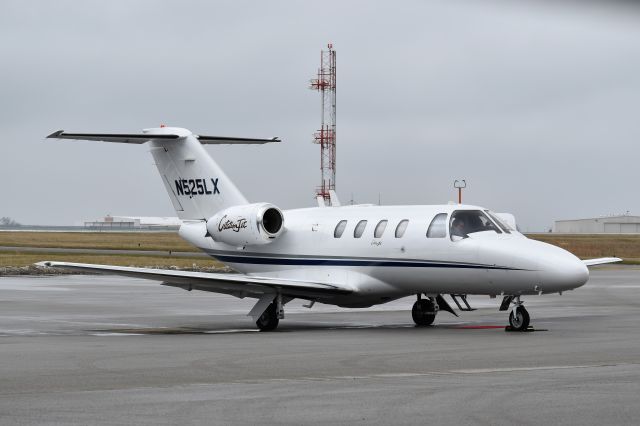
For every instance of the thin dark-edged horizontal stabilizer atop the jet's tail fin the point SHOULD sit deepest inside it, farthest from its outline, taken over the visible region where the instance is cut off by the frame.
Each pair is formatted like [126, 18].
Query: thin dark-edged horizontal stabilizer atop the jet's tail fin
[141, 138]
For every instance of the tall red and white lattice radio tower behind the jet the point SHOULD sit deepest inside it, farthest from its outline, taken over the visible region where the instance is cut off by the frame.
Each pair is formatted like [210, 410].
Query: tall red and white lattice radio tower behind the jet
[325, 83]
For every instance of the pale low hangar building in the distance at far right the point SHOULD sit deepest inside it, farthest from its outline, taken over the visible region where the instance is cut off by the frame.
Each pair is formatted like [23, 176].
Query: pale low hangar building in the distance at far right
[623, 224]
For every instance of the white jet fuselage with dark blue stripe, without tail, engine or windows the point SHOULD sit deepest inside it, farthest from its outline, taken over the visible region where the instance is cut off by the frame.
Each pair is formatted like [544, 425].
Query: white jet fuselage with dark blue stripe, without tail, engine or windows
[382, 266]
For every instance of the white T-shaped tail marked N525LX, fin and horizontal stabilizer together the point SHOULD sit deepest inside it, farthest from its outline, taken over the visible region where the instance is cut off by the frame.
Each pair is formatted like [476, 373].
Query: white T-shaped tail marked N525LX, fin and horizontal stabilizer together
[197, 186]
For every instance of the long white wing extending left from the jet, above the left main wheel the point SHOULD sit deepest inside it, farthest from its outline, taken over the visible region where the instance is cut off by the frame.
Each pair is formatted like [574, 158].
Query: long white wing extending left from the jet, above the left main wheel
[238, 285]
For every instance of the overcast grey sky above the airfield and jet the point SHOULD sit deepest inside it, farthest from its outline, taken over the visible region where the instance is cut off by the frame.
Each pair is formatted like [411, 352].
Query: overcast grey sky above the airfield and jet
[535, 104]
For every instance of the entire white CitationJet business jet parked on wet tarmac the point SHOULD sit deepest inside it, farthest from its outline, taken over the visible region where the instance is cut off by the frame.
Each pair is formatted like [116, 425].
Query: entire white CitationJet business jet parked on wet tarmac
[349, 256]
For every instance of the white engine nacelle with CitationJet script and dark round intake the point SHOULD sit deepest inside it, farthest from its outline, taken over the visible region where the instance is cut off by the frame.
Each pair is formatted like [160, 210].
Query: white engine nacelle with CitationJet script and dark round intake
[249, 224]
